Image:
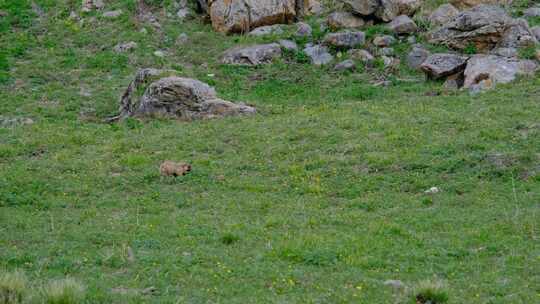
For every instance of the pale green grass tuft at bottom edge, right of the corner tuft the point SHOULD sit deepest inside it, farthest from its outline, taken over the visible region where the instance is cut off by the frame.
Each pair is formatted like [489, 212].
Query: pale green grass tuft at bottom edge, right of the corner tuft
[66, 291]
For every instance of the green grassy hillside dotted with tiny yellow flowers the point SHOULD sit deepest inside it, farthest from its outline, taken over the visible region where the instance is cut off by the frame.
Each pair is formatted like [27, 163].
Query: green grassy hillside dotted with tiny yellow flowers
[317, 199]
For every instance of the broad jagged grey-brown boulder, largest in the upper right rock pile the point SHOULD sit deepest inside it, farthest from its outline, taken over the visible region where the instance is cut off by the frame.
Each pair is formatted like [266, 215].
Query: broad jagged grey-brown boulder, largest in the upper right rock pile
[482, 26]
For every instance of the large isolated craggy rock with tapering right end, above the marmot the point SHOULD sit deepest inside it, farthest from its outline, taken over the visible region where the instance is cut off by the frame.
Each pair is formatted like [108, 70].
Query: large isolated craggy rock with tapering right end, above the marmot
[175, 97]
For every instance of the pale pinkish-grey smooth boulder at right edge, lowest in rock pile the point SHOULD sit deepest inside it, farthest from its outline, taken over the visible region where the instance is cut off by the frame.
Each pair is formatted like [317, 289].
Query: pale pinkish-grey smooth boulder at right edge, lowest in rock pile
[485, 71]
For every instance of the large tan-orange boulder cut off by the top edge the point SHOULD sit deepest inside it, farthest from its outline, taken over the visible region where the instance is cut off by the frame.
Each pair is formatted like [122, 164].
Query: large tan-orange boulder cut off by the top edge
[240, 16]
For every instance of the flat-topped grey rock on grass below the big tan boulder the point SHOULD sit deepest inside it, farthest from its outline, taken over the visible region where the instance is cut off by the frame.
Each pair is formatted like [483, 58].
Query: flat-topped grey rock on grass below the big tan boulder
[252, 55]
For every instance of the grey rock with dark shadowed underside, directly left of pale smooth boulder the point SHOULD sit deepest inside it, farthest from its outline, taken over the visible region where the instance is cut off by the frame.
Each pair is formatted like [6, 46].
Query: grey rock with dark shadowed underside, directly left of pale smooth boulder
[437, 66]
